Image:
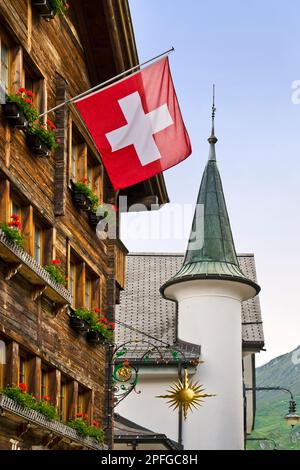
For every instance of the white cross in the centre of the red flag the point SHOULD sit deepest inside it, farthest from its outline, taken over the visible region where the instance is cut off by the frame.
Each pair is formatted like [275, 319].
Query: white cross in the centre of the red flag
[140, 128]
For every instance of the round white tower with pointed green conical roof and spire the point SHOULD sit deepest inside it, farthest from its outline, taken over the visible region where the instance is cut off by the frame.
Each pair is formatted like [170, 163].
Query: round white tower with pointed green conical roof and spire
[209, 289]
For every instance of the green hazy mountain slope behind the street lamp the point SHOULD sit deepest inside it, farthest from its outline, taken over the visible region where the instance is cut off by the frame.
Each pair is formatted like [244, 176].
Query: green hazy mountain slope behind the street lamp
[272, 406]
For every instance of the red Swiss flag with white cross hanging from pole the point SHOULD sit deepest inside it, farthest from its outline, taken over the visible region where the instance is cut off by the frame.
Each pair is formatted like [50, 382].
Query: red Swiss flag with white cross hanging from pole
[137, 125]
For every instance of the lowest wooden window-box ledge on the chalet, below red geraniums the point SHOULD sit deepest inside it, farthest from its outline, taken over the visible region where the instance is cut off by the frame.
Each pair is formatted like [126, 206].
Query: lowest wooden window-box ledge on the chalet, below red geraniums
[9, 405]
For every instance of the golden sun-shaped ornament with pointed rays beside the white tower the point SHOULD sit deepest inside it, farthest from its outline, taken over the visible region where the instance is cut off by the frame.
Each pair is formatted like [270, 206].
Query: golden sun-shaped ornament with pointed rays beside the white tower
[185, 395]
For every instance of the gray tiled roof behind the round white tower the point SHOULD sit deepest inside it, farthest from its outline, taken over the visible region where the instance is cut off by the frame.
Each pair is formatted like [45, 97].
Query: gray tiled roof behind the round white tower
[142, 306]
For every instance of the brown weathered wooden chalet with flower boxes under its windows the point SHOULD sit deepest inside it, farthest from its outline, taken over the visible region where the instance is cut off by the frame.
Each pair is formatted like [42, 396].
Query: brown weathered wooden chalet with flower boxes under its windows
[57, 57]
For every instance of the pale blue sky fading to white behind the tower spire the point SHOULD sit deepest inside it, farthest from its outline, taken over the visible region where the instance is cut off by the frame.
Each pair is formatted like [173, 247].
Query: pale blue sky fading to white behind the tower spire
[251, 51]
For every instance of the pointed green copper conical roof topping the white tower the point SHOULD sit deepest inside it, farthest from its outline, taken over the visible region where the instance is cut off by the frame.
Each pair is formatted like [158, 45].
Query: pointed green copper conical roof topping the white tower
[211, 252]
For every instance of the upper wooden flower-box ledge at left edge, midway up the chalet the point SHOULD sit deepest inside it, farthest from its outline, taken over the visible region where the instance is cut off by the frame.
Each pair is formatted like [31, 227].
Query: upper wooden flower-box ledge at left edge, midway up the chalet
[17, 260]
